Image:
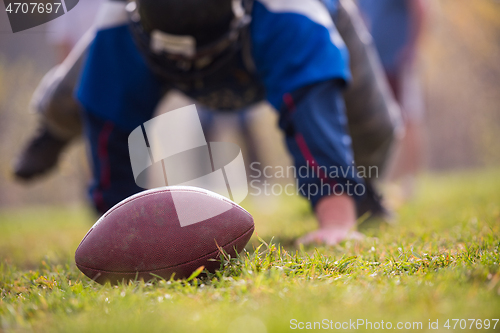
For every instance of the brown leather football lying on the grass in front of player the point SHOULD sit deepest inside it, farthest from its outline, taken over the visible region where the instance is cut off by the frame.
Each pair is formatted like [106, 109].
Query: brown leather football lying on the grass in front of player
[165, 232]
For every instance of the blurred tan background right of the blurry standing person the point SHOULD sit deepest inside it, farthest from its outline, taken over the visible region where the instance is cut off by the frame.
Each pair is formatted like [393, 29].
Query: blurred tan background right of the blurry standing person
[460, 68]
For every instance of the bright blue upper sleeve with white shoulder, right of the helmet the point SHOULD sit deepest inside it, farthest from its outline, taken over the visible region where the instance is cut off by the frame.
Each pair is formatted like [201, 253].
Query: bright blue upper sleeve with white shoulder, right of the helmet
[295, 44]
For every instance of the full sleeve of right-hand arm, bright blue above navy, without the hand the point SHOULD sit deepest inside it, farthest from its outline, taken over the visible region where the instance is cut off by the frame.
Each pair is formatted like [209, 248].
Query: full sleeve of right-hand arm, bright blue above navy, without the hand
[304, 65]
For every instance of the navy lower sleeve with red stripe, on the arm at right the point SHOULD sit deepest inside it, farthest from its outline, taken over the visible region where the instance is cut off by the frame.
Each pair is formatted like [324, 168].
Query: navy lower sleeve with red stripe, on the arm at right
[315, 126]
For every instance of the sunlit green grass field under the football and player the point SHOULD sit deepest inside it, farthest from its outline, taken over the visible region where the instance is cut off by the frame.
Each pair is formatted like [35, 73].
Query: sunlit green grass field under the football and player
[440, 262]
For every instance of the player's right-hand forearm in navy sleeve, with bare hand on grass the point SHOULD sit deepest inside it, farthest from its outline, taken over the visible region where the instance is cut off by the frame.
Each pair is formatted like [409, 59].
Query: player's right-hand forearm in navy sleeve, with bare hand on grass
[314, 122]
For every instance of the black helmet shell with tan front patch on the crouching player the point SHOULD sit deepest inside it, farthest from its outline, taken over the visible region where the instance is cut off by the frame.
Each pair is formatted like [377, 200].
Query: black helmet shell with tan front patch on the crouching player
[184, 41]
